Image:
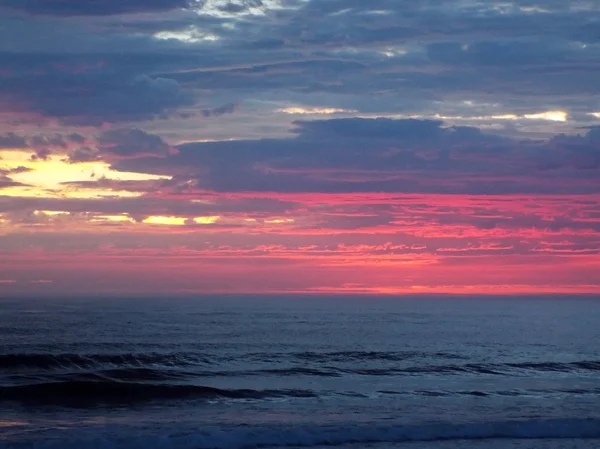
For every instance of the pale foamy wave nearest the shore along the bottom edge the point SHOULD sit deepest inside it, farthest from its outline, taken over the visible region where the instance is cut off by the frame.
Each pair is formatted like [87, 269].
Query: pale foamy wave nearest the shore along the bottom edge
[249, 437]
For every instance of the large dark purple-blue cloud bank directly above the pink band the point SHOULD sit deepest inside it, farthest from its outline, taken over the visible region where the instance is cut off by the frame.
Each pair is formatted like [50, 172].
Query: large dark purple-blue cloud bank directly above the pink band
[367, 155]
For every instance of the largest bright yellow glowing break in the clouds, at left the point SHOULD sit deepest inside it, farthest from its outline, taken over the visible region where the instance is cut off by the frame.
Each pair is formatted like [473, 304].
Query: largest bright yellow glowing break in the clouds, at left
[47, 178]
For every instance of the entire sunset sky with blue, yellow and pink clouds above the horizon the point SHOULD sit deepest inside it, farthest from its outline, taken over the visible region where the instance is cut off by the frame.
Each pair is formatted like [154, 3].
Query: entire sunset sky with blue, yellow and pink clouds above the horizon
[299, 146]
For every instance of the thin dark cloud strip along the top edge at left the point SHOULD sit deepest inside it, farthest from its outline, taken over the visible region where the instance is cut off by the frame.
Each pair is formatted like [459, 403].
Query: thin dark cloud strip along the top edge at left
[92, 7]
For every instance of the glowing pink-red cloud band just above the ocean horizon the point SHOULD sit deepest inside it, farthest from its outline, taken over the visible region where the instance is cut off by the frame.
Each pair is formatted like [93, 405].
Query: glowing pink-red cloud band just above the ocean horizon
[537, 238]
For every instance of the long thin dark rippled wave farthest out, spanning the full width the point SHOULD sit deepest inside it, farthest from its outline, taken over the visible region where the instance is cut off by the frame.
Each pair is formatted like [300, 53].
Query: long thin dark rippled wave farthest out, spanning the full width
[334, 364]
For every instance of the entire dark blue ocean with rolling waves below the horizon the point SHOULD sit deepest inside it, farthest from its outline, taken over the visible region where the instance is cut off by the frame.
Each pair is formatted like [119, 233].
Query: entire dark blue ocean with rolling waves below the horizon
[300, 371]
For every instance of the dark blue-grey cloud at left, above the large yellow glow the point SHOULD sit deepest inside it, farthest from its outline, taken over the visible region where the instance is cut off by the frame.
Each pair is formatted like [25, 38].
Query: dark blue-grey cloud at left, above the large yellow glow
[89, 90]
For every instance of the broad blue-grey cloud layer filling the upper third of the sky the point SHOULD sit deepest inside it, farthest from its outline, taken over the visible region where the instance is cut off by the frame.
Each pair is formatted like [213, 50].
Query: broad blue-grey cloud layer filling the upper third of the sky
[372, 56]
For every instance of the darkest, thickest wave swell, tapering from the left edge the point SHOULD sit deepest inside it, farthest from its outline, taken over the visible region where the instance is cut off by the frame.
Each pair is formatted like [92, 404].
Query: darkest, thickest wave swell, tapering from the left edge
[88, 392]
